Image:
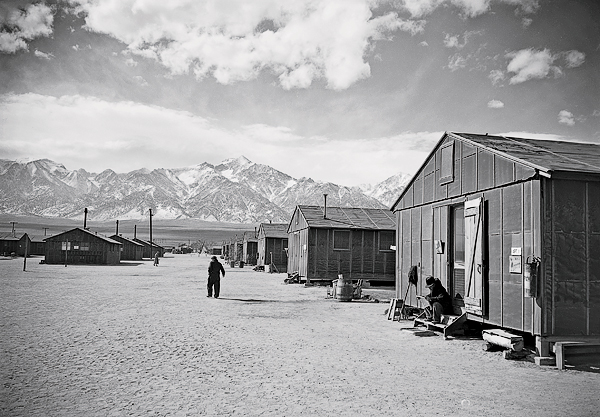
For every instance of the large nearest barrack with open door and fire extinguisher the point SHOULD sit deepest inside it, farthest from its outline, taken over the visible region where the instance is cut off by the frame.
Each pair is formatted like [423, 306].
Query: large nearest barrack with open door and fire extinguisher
[484, 210]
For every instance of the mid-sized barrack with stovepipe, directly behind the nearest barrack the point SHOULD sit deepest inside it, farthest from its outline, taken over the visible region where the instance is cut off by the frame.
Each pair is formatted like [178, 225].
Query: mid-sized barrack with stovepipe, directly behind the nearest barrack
[355, 242]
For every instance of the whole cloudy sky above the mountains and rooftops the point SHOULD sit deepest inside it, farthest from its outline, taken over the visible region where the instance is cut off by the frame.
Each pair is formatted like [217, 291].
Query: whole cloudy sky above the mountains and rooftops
[347, 91]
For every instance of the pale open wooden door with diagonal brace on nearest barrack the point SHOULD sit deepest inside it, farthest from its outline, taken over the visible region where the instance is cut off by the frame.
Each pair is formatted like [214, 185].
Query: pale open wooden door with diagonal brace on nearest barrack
[474, 256]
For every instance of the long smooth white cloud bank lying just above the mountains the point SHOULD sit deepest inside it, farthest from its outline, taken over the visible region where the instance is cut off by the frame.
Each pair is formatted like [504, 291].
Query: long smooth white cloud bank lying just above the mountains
[124, 136]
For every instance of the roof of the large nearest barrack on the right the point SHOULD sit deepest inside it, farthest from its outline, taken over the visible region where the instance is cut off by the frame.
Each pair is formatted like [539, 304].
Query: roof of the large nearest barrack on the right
[547, 155]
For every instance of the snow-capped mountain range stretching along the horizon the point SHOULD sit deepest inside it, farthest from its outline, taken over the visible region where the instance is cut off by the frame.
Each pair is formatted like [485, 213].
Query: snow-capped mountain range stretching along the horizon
[236, 190]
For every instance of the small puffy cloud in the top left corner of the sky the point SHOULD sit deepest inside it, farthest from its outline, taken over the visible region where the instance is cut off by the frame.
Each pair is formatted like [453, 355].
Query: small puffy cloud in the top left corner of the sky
[21, 26]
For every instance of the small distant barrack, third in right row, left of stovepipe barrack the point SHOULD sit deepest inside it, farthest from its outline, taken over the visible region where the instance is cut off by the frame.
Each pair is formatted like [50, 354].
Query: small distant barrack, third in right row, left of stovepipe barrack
[272, 246]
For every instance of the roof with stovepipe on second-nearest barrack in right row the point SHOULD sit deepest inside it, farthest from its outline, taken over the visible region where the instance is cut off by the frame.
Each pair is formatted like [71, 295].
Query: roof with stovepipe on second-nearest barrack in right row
[348, 218]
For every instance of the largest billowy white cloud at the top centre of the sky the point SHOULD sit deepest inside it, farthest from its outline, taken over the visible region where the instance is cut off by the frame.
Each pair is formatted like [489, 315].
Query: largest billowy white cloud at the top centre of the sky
[234, 40]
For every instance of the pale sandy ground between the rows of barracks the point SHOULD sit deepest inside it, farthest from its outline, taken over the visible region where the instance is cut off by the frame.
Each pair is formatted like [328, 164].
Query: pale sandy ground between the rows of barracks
[142, 340]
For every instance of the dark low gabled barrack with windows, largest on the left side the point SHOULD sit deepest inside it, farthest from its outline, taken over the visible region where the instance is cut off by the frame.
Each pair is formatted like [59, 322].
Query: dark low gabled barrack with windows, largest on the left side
[80, 246]
